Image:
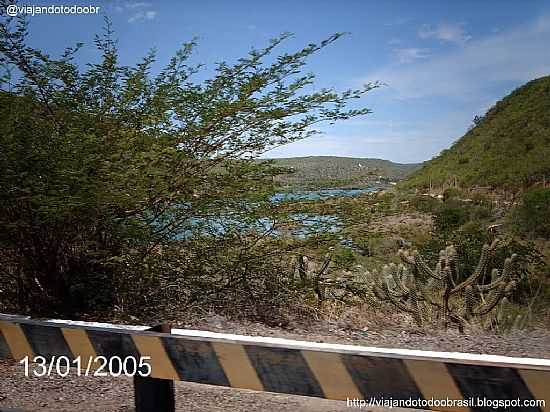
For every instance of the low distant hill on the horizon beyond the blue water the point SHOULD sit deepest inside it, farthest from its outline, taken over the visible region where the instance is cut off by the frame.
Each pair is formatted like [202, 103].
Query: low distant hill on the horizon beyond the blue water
[332, 171]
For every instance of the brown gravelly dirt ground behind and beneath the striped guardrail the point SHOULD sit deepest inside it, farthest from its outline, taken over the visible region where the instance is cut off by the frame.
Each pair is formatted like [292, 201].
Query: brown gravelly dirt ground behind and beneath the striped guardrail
[116, 394]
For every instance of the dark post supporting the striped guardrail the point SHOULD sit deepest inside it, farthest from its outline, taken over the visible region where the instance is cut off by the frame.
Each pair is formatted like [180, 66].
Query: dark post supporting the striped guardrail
[153, 394]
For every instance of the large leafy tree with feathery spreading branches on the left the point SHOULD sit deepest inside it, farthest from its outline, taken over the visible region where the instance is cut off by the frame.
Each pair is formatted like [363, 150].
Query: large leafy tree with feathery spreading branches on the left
[114, 178]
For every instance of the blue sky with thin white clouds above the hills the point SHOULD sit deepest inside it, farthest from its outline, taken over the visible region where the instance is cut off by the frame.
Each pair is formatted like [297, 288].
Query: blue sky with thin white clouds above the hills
[441, 62]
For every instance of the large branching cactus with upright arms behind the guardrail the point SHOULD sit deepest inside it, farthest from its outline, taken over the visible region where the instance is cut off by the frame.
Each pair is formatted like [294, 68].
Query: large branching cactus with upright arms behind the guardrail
[435, 294]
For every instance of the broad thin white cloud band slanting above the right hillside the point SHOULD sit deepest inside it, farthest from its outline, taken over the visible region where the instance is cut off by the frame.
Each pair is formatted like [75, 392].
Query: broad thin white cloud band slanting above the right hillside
[515, 56]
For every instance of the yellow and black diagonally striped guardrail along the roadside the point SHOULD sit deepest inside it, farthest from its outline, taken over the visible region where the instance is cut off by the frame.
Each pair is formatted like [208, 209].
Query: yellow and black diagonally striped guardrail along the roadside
[329, 371]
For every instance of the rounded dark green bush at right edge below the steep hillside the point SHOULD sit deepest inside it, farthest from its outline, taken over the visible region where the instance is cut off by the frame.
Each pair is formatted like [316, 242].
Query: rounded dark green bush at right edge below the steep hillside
[532, 215]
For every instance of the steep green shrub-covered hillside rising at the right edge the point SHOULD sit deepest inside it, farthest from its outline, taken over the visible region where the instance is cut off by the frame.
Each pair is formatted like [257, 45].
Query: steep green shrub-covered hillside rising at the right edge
[509, 148]
